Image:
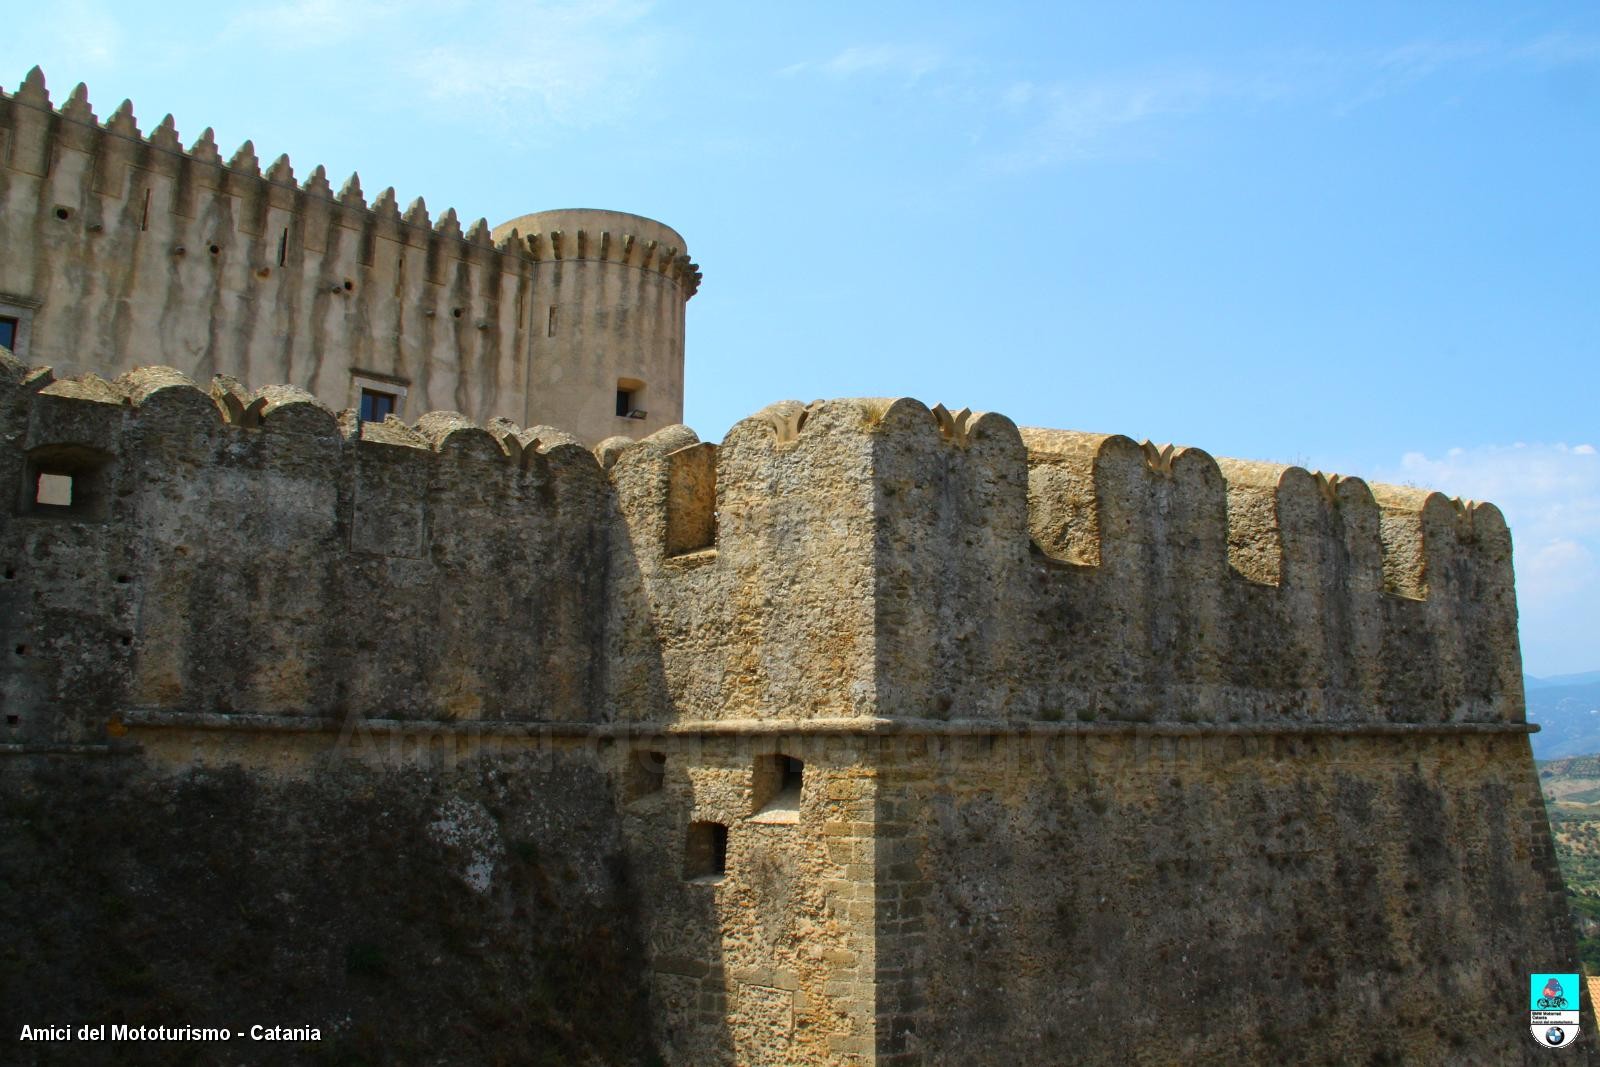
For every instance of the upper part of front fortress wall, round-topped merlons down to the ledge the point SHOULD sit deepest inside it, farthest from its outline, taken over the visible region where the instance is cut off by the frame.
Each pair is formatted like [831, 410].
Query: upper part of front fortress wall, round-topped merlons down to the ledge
[254, 553]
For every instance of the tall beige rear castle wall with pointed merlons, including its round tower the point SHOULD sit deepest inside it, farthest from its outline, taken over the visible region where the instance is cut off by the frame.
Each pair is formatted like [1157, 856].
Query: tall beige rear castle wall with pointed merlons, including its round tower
[126, 249]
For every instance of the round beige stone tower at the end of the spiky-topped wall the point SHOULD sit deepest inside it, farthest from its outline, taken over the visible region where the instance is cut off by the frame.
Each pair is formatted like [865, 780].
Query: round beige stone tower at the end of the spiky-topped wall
[606, 348]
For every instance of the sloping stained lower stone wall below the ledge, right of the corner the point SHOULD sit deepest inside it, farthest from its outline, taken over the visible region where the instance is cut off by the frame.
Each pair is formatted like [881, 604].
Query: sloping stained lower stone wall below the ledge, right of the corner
[1212, 900]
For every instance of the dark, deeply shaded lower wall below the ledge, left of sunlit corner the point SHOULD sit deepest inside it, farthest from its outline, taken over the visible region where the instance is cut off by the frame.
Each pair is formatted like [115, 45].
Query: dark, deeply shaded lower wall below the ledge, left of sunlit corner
[412, 911]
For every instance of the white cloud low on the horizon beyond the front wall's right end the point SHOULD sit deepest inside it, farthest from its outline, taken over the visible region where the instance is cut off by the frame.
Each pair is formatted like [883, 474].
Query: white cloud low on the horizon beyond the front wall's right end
[1551, 498]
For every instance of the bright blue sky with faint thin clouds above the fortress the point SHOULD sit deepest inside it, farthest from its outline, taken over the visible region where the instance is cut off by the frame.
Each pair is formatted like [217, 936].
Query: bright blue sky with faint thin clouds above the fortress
[1359, 238]
